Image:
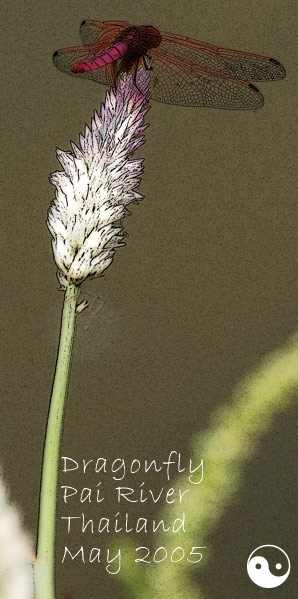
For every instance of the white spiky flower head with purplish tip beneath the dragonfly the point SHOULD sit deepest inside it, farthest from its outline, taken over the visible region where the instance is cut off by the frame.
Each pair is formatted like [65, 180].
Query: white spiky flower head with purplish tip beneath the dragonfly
[98, 182]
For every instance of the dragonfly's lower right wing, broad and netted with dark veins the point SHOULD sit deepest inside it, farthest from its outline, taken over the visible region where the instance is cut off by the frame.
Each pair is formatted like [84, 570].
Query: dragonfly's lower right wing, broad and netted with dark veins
[175, 81]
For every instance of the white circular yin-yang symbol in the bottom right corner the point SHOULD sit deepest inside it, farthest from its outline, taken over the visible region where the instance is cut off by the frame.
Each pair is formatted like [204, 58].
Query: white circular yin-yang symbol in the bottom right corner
[268, 566]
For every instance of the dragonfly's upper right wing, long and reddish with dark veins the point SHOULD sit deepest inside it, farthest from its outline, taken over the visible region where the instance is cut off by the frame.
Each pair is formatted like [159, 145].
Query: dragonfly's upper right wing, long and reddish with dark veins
[235, 63]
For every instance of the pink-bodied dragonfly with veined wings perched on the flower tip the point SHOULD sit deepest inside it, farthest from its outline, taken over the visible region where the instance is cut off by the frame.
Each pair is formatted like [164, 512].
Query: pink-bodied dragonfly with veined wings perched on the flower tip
[183, 71]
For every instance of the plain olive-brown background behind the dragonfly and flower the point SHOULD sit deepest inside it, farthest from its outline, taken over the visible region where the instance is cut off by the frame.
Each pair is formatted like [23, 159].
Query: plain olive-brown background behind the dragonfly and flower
[206, 286]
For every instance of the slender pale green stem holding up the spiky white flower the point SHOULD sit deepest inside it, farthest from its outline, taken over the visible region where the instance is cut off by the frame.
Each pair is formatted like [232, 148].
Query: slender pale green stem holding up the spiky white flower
[45, 565]
